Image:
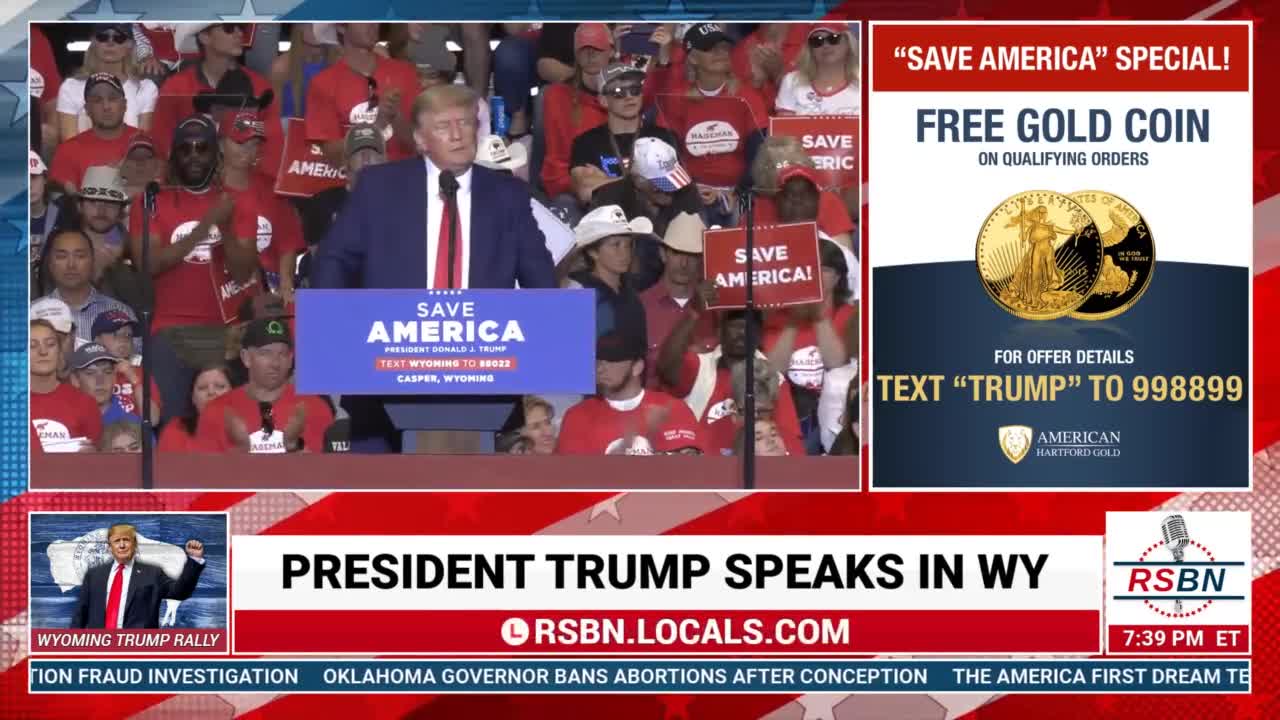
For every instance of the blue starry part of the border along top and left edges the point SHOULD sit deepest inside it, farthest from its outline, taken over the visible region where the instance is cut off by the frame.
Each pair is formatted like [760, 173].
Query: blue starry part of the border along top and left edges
[15, 134]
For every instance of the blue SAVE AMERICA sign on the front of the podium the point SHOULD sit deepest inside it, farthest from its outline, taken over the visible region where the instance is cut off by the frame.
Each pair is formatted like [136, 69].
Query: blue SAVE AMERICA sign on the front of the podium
[446, 341]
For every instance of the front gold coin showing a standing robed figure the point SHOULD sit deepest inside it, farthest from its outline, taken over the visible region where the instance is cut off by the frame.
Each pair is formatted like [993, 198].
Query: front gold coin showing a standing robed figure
[1040, 256]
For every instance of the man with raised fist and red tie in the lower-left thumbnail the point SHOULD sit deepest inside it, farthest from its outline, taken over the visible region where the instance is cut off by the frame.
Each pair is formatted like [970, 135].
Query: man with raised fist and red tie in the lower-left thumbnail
[127, 593]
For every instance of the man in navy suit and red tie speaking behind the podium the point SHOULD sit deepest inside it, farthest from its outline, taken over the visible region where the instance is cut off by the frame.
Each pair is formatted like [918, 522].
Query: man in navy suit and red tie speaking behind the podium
[436, 222]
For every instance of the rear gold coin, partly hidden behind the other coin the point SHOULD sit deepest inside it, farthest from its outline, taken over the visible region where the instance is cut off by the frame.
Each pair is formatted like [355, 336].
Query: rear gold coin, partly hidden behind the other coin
[1130, 256]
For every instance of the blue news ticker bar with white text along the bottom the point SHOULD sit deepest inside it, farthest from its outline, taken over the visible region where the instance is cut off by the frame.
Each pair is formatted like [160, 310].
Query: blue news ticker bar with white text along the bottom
[641, 677]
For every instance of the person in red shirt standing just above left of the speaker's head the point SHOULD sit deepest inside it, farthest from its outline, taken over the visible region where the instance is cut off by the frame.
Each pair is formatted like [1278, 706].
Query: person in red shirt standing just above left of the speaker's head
[363, 88]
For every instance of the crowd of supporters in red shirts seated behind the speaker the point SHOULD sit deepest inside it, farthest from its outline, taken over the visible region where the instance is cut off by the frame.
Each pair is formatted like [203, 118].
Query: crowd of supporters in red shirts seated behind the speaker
[633, 140]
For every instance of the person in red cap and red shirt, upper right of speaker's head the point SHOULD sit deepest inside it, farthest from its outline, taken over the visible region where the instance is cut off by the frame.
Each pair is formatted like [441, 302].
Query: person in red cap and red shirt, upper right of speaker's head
[573, 108]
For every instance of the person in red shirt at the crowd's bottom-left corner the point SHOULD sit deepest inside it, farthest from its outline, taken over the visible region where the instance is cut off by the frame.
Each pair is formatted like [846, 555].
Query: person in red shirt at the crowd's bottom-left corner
[63, 420]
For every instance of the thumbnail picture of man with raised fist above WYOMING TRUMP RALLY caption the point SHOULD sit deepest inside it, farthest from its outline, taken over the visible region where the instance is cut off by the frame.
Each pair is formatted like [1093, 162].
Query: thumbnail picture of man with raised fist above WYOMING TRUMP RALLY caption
[129, 572]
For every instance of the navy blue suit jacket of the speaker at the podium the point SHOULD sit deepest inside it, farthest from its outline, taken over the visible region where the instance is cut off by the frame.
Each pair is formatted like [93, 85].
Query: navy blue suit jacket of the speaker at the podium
[380, 241]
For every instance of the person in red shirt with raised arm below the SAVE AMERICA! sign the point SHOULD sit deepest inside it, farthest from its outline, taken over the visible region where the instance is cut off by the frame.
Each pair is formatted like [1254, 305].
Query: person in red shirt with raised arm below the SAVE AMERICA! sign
[705, 380]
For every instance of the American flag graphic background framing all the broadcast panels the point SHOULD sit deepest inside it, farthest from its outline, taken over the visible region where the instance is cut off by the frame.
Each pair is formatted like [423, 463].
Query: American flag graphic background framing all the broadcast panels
[587, 514]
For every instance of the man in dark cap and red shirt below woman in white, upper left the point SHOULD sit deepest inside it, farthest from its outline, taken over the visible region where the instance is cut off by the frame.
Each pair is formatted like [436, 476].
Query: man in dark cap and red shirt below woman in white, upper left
[106, 144]
